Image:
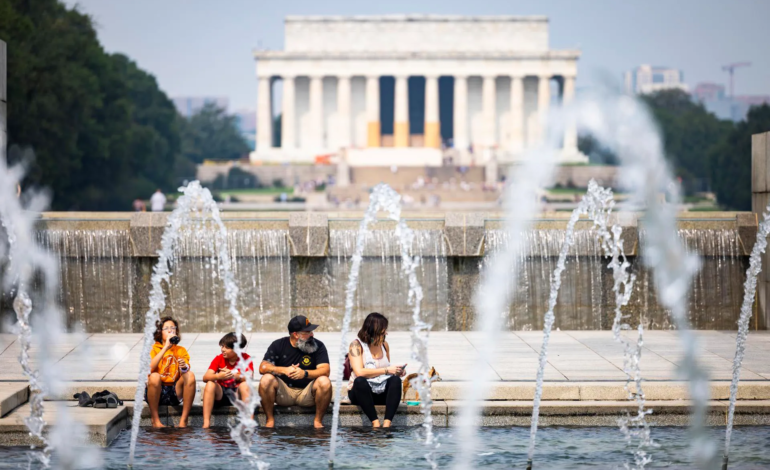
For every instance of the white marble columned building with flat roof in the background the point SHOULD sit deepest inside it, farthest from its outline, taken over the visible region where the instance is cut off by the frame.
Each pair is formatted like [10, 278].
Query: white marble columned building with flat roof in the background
[479, 85]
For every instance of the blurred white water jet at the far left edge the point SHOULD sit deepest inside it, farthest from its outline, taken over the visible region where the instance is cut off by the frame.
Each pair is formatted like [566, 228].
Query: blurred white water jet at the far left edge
[25, 262]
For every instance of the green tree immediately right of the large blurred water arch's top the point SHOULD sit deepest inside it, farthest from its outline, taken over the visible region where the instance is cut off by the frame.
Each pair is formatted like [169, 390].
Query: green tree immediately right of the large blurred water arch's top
[689, 133]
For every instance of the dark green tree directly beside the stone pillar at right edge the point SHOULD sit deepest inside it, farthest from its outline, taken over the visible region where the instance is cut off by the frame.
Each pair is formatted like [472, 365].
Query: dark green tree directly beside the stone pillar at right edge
[731, 160]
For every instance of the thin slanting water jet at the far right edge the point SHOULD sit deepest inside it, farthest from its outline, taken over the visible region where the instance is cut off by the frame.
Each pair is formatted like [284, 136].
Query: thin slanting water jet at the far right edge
[749, 289]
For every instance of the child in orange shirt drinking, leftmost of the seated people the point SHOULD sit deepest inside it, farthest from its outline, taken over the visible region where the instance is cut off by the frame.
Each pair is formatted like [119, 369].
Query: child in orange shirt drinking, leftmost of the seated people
[170, 374]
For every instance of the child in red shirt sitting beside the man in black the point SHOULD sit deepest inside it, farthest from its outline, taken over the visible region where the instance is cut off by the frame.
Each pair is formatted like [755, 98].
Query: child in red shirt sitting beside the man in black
[225, 380]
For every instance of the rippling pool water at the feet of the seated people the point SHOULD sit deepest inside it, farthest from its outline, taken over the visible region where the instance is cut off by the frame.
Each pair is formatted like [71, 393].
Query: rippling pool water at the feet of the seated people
[558, 447]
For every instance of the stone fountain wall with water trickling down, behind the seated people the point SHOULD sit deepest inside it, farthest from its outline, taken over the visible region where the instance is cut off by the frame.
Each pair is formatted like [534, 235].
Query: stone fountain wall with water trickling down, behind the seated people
[296, 263]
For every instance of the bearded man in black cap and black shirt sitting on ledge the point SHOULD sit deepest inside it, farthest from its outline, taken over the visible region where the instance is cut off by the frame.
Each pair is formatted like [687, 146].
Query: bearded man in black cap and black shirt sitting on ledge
[295, 372]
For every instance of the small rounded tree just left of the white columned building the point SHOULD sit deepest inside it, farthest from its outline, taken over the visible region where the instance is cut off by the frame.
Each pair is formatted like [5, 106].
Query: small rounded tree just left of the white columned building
[212, 134]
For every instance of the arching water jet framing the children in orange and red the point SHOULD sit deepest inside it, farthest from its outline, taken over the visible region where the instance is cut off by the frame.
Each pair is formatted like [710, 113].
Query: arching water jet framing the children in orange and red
[195, 208]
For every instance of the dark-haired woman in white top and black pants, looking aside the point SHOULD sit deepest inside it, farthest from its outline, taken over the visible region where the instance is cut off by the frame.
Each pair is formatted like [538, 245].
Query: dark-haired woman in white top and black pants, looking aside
[373, 381]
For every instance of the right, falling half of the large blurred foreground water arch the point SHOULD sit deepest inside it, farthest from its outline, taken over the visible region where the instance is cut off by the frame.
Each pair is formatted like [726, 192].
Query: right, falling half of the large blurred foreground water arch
[624, 126]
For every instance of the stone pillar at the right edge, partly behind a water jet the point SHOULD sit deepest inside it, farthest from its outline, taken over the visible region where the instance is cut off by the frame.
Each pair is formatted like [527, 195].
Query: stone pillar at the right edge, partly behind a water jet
[760, 197]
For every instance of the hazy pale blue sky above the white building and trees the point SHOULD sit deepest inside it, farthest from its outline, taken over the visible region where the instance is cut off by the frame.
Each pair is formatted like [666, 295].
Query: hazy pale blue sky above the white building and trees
[203, 48]
